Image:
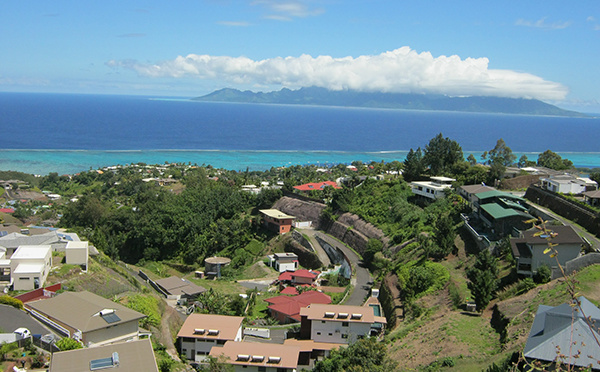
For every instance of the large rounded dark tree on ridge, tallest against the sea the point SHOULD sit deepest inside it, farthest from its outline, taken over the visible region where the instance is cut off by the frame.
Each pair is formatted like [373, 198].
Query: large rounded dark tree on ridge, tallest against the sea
[441, 154]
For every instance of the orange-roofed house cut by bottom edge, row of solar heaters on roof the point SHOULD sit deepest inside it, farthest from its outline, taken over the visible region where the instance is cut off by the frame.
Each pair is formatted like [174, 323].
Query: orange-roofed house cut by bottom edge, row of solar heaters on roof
[250, 356]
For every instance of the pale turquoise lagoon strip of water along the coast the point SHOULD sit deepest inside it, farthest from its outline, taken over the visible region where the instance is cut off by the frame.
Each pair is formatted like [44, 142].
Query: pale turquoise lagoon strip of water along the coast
[43, 162]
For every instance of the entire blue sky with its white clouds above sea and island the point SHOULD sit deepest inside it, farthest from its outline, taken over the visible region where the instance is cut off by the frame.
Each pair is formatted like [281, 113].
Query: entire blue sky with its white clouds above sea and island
[548, 50]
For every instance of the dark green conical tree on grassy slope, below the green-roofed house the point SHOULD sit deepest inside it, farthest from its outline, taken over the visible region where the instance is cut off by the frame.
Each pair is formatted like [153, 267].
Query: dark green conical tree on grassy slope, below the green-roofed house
[483, 279]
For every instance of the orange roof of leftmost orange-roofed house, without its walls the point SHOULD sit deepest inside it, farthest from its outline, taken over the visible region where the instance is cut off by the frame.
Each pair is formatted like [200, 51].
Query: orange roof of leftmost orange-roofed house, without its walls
[227, 326]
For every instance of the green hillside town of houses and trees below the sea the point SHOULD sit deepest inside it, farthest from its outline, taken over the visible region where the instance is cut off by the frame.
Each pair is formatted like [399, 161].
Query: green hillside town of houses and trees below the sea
[462, 265]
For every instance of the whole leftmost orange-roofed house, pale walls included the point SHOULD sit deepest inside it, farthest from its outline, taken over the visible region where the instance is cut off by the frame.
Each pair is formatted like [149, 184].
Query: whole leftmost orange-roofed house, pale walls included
[200, 333]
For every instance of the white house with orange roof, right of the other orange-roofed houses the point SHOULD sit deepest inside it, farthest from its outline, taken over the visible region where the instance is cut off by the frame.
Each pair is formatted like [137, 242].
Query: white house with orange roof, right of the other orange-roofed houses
[341, 324]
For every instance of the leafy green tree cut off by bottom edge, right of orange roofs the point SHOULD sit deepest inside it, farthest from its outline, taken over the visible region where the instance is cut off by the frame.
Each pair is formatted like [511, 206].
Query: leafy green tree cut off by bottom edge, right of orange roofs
[364, 355]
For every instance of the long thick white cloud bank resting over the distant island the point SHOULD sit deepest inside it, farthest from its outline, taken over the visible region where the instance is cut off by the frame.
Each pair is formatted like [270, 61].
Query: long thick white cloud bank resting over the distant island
[401, 71]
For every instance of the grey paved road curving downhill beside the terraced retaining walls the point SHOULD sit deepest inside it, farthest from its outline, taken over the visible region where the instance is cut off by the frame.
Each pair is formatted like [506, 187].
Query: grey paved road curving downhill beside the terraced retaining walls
[361, 280]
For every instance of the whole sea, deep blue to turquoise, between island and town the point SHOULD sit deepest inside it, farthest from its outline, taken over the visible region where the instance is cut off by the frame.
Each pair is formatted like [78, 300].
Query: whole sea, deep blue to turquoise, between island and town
[44, 133]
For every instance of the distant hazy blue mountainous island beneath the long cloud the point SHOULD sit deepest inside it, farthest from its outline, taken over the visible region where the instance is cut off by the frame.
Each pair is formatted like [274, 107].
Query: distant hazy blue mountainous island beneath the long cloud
[406, 101]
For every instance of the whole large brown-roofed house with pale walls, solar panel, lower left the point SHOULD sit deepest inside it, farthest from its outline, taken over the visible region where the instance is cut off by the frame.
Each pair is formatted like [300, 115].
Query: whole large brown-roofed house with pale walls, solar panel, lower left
[87, 317]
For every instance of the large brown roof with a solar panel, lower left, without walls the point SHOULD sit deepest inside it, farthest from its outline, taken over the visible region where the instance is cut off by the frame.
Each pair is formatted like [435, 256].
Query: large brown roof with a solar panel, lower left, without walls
[81, 310]
